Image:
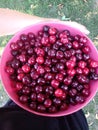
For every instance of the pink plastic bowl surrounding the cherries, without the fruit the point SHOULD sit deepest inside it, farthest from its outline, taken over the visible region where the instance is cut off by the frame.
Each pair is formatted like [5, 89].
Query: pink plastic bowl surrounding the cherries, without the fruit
[8, 85]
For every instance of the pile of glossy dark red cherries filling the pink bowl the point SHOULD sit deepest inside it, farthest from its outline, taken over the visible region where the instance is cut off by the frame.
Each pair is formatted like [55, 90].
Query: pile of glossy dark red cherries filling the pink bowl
[51, 69]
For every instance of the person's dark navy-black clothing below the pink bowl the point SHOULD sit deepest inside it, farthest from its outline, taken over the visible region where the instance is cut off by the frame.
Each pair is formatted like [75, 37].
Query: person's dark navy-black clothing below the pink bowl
[15, 115]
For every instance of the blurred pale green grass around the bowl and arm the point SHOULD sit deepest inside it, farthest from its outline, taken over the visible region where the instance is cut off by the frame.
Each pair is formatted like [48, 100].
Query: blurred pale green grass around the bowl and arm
[82, 11]
